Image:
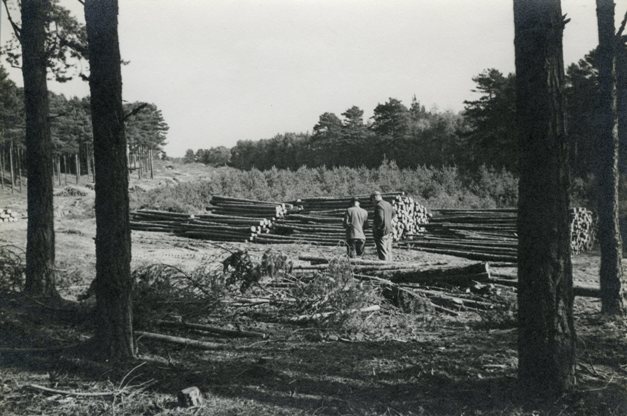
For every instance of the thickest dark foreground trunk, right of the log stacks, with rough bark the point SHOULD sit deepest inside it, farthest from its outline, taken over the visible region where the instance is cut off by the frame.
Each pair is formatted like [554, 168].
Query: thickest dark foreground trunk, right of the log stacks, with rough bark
[546, 337]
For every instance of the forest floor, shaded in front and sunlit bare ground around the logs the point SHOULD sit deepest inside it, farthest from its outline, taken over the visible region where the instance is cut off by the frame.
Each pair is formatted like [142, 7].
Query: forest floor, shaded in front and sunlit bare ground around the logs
[392, 363]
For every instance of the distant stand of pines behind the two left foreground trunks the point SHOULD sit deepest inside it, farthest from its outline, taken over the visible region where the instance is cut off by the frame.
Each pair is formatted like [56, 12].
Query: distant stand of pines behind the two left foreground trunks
[71, 134]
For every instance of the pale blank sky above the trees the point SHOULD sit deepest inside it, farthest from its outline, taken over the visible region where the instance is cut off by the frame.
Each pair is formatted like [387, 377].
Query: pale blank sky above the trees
[225, 70]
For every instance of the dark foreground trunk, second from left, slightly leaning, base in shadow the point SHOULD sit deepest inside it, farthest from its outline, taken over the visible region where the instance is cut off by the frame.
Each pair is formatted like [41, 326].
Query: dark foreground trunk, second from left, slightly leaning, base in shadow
[114, 329]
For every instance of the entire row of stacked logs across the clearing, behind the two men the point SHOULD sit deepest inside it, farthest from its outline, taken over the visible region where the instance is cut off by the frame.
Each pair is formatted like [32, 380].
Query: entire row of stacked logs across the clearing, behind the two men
[476, 234]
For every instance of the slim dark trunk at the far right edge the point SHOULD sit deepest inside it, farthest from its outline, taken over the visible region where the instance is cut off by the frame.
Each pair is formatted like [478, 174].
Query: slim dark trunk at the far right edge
[607, 143]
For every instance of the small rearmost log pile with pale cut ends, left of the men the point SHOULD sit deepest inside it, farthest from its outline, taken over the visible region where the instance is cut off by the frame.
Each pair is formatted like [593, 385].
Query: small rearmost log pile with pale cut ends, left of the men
[223, 205]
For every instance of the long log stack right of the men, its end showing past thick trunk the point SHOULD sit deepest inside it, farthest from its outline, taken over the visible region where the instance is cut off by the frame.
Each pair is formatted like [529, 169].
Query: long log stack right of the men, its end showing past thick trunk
[490, 234]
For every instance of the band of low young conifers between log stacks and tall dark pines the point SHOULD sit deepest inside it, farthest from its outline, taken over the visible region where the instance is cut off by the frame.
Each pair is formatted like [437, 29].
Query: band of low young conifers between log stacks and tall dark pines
[443, 187]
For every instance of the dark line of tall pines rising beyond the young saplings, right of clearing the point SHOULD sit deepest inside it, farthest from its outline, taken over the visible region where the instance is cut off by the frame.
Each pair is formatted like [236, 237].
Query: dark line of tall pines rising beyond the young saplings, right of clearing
[483, 134]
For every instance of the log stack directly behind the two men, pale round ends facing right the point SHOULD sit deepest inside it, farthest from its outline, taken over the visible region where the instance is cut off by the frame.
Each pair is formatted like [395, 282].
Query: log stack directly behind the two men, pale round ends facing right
[319, 220]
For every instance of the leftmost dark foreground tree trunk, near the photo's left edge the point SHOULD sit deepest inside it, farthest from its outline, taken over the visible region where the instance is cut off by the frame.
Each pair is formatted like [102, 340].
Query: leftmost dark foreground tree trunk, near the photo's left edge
[40, 279]
